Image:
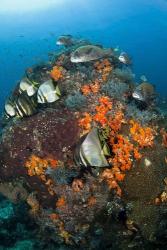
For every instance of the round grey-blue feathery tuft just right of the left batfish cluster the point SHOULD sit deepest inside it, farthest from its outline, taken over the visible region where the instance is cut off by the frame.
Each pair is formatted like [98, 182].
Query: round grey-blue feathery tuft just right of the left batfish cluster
[76, 101]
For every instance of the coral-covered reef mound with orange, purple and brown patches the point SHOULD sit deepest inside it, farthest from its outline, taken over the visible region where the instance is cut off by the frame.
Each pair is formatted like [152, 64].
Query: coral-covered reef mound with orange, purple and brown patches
[75, 205]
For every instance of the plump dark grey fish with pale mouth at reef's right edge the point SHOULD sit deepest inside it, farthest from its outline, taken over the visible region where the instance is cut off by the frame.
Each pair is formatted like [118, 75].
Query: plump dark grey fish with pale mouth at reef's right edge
[145, 92]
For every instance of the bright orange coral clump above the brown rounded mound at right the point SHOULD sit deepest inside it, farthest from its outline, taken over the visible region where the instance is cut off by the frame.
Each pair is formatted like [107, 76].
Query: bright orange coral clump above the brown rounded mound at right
[144, 136]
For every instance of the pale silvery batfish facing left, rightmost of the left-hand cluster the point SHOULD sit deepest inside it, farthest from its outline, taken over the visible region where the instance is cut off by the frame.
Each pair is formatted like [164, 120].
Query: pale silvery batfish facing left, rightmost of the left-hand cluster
[48, 92]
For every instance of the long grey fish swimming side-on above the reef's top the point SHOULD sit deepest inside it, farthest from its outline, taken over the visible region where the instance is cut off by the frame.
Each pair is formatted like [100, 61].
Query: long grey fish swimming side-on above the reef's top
[89, 53]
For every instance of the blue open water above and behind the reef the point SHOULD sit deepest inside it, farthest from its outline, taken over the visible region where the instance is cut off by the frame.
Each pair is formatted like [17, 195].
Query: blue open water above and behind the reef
[29, 31]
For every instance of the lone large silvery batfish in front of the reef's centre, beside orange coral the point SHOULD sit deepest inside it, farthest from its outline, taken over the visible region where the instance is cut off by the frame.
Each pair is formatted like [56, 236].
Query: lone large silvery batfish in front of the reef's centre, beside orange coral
[89, 151]
